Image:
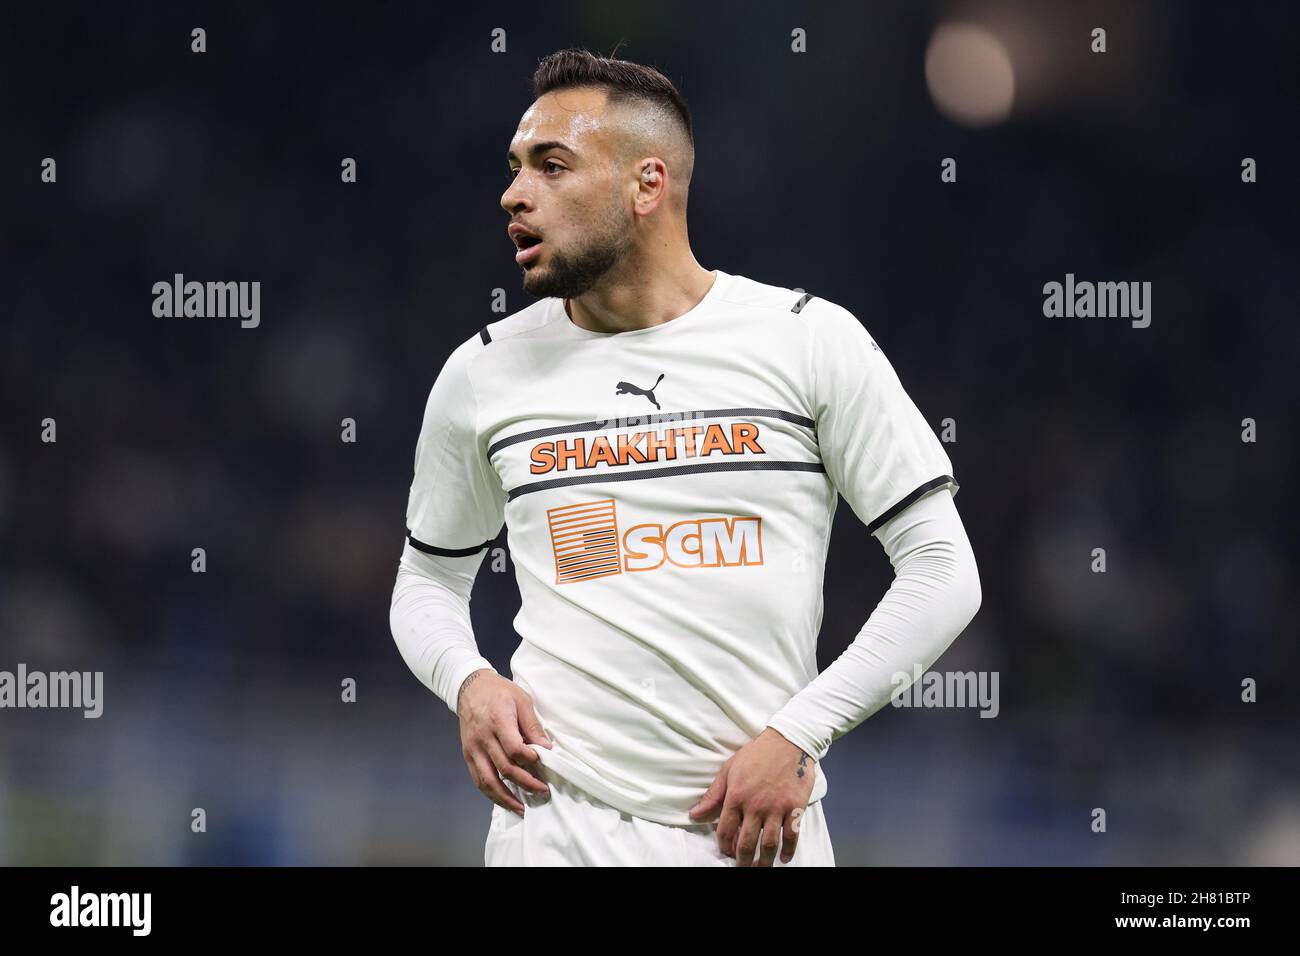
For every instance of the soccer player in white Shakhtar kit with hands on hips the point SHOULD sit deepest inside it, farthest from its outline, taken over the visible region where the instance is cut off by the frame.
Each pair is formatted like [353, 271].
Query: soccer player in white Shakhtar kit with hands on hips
[666, 447]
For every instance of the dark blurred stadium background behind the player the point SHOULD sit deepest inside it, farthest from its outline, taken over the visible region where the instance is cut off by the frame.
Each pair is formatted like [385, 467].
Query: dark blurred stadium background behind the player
[818, 171]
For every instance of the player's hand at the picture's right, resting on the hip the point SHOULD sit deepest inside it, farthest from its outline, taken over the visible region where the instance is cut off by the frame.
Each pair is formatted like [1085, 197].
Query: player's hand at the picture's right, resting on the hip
[759, 798]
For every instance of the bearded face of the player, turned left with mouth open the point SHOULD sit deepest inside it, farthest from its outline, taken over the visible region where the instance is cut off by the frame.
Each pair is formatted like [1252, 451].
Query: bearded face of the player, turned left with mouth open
[566, 191]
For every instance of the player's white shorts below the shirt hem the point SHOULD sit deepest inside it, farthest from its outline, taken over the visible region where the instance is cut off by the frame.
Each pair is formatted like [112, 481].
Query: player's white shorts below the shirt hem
[571, 828]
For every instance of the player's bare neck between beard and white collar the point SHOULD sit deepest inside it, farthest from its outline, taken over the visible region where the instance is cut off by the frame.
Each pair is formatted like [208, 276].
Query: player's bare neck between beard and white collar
[636, 295]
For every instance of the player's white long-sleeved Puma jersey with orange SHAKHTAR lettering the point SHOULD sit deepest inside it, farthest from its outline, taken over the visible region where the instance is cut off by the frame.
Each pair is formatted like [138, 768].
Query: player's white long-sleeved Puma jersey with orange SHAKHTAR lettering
[669, 495]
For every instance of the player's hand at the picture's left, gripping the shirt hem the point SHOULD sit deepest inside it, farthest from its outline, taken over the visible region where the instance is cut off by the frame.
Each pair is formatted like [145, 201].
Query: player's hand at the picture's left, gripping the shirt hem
[497, 723]
